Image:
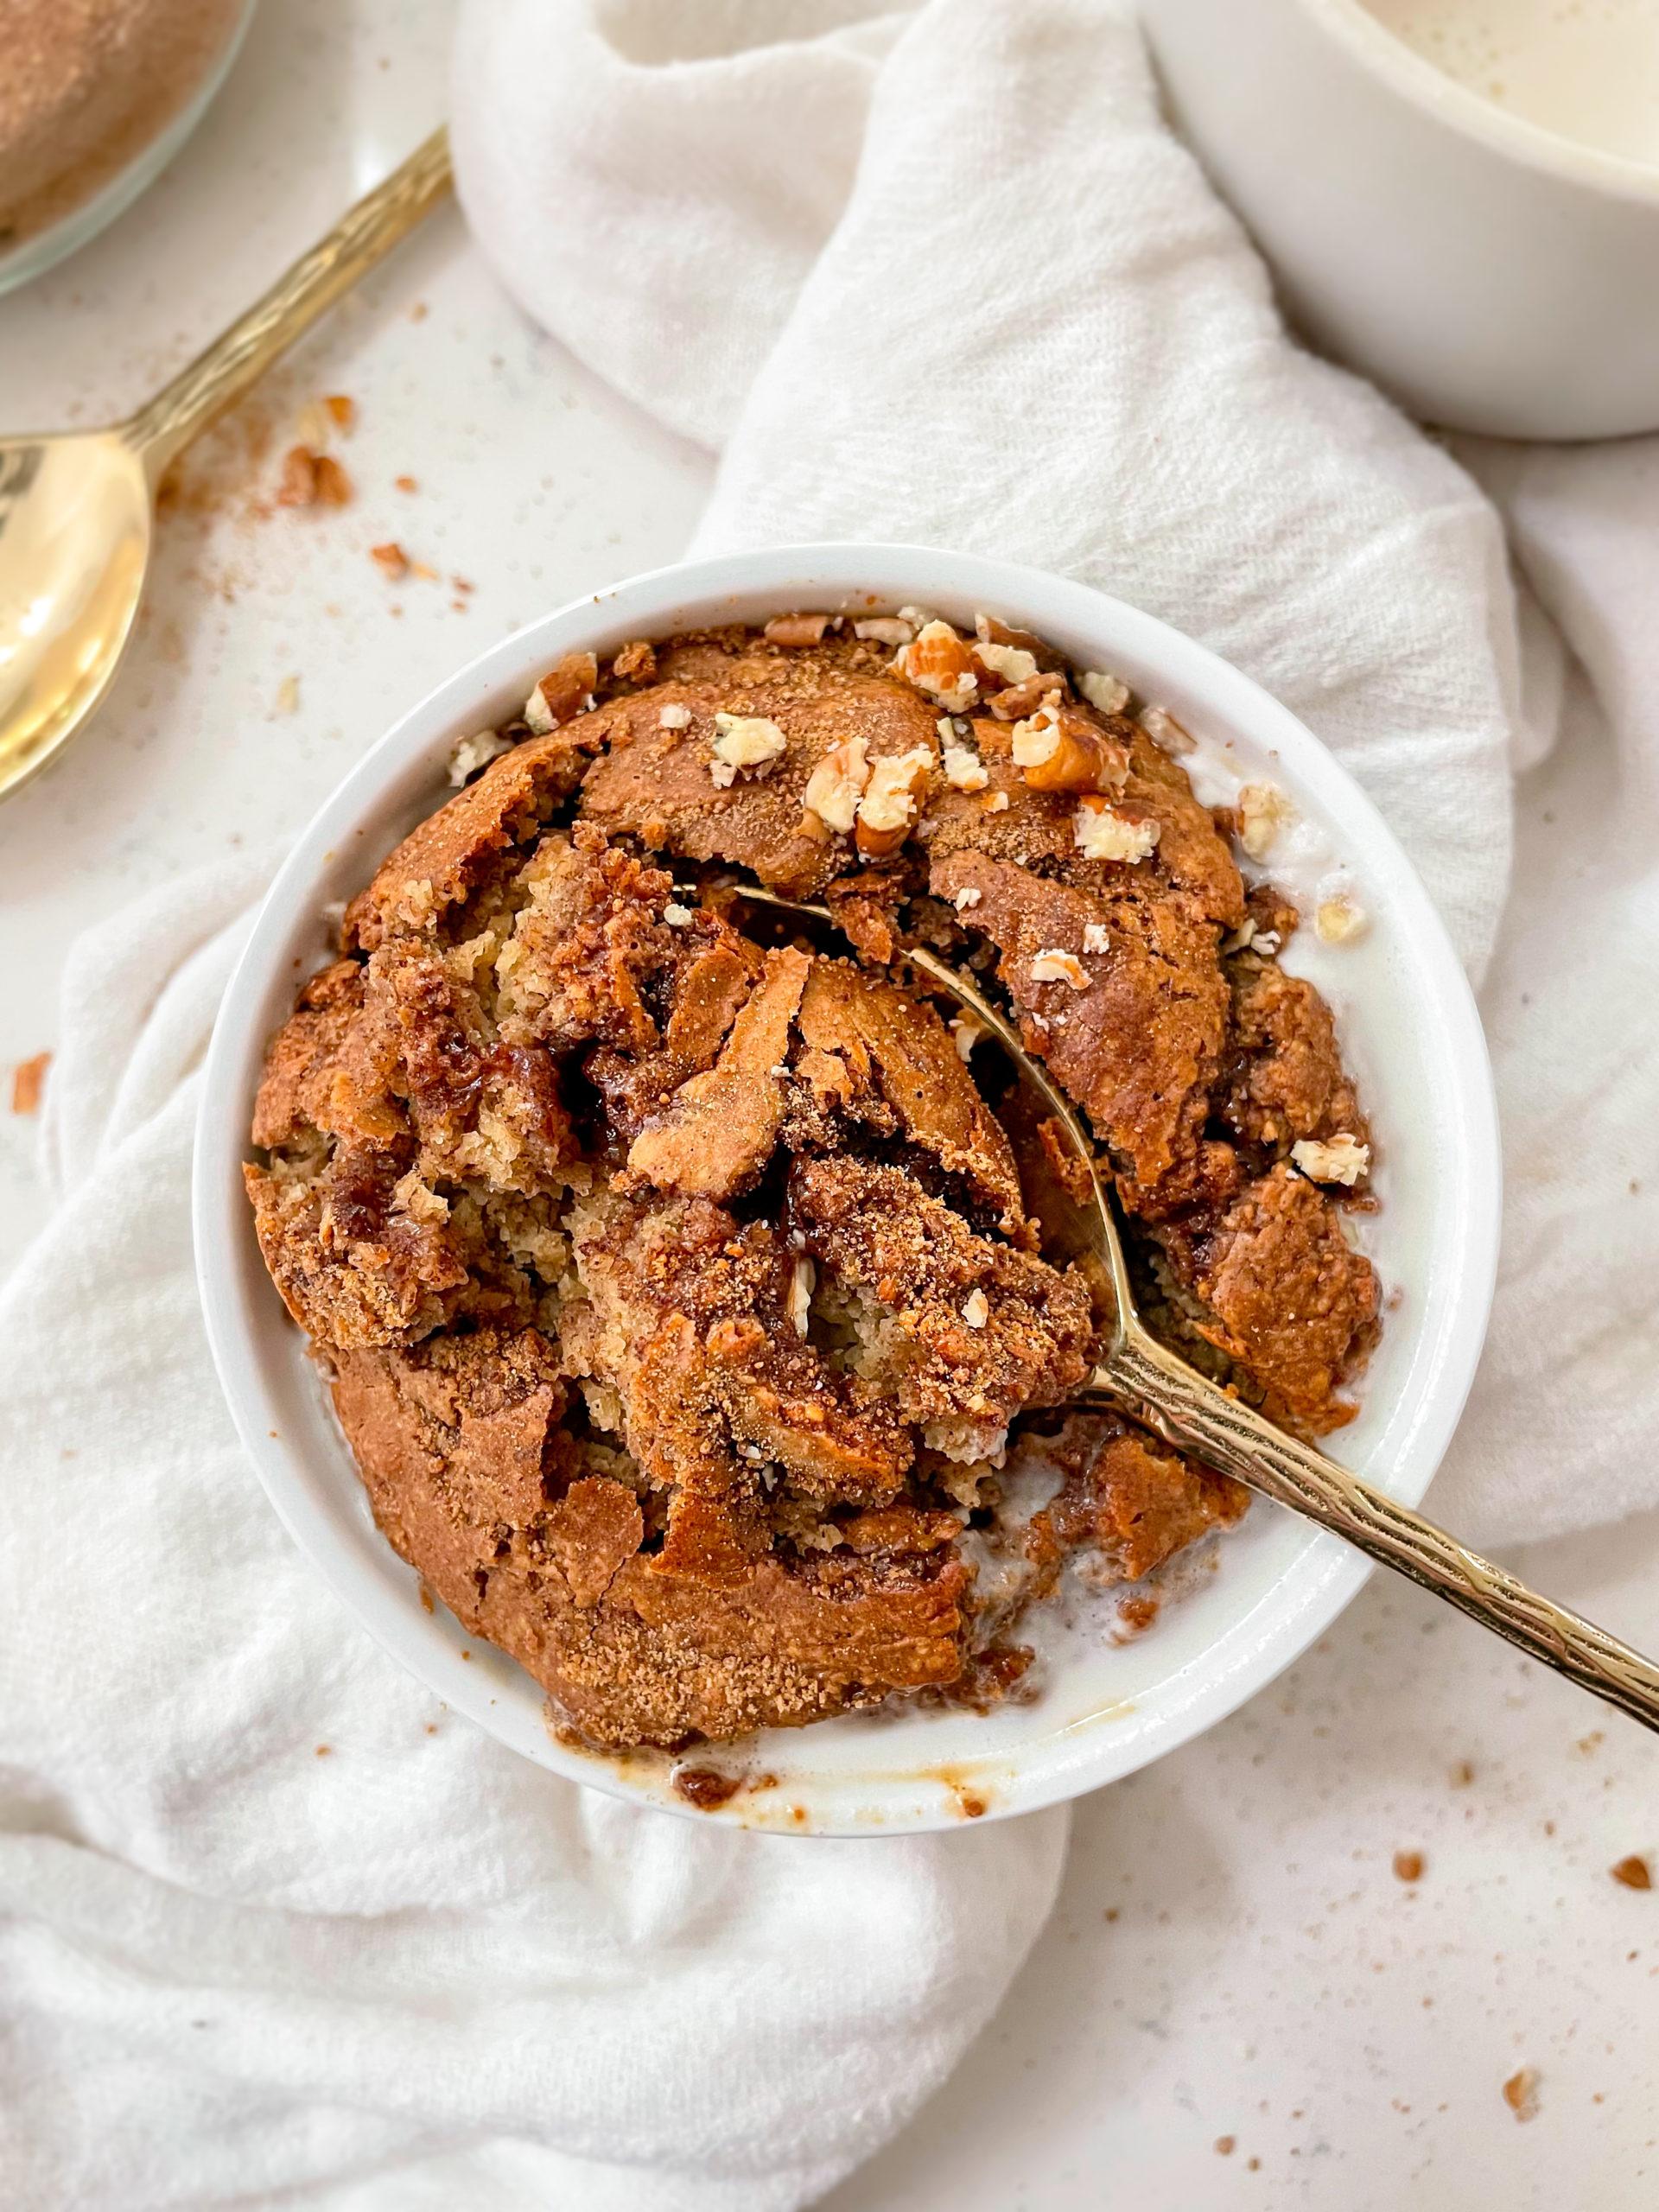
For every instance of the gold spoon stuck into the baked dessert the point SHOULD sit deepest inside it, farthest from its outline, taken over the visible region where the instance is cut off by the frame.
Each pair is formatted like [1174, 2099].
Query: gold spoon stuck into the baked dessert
[1160, 1390]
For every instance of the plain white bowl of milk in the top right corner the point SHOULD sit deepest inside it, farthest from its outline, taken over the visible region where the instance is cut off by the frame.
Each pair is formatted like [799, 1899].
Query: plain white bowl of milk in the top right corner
[1459, 198]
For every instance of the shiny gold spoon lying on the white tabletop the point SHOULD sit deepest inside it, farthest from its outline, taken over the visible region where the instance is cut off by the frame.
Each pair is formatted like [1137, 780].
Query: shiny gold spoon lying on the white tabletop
[76, 508]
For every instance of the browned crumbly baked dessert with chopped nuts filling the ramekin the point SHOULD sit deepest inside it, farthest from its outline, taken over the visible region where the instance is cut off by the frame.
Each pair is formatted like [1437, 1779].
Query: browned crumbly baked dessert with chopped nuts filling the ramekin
[674, 1271]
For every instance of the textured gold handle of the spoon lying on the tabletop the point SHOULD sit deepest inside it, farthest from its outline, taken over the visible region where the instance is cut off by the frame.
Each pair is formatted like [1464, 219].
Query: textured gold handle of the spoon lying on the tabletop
[220, 375]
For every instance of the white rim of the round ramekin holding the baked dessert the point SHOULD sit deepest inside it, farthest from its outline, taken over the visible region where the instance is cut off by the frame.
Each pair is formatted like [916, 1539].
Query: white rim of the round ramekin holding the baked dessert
[302, 1461]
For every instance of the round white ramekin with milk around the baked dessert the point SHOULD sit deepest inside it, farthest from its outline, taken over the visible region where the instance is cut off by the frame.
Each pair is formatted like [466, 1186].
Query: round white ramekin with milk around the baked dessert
[1412, 1034]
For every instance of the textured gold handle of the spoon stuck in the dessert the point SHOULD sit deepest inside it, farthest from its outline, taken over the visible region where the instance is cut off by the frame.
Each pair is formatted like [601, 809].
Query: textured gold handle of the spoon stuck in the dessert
[1202, 1419]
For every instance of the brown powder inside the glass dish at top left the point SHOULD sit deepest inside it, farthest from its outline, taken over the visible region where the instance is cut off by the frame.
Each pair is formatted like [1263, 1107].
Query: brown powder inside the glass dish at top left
[85, 85]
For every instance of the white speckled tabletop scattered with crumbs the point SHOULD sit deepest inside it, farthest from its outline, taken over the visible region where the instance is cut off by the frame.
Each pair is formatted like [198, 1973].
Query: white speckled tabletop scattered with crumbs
[1233, 1957]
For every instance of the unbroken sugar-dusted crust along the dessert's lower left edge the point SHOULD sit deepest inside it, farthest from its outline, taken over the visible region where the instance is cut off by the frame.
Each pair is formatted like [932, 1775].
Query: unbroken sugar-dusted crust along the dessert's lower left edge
[477, 1483]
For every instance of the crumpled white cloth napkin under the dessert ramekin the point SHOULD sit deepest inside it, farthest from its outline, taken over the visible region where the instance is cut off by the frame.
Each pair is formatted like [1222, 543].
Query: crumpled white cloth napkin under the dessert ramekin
[273, 1926]
